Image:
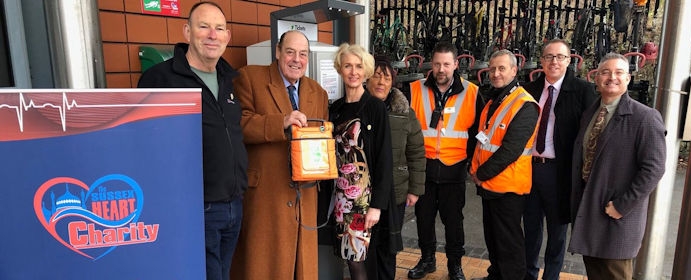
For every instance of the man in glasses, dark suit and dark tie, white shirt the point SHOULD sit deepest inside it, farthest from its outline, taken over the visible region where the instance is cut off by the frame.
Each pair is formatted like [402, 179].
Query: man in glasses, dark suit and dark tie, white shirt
[557, 128]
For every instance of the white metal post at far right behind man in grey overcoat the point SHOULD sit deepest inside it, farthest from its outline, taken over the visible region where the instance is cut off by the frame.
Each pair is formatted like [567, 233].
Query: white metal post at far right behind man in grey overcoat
[671, 76]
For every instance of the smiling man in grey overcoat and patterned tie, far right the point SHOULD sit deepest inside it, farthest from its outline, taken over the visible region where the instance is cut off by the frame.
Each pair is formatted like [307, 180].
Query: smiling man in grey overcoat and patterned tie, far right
[619, 158]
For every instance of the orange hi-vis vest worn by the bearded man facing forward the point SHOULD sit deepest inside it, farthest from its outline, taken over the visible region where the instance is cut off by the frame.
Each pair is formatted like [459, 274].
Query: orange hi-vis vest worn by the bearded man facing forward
[449, 140]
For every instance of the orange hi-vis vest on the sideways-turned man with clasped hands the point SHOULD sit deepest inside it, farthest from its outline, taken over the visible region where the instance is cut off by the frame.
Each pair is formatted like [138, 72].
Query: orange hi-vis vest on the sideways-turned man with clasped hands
[517, 177]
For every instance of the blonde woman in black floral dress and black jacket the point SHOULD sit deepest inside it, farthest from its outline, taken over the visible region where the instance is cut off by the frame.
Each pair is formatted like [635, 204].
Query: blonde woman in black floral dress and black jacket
[363, 144]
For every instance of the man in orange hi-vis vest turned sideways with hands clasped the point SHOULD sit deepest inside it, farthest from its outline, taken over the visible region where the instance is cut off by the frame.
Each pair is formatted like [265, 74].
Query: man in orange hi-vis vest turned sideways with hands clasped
[501, 166]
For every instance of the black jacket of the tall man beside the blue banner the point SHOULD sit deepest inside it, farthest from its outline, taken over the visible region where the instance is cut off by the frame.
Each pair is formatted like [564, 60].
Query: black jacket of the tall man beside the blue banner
[224, 154]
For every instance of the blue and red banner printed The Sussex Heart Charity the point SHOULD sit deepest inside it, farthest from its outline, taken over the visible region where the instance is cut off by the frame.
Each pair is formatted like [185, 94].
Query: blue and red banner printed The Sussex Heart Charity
[101, 184]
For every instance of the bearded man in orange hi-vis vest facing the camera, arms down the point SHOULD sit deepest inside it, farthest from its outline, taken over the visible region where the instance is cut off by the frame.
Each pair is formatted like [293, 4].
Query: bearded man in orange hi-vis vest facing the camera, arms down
[447, 108]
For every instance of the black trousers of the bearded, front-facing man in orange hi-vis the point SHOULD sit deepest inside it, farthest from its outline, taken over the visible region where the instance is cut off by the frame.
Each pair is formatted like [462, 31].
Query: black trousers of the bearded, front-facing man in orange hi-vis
[447, 199]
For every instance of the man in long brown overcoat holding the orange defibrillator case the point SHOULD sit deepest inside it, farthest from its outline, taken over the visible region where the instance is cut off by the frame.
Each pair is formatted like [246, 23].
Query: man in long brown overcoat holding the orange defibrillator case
[278, 239]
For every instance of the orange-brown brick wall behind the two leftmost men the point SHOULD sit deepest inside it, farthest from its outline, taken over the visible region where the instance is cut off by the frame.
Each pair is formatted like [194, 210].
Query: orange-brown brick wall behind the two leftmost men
[124, 28]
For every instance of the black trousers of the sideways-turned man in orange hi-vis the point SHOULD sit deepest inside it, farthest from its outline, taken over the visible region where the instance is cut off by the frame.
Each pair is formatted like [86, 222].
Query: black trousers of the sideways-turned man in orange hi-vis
[501, 220]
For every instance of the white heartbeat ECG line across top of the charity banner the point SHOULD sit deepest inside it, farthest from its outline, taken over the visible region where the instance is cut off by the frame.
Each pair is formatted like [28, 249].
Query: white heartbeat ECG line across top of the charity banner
[67, 105]
